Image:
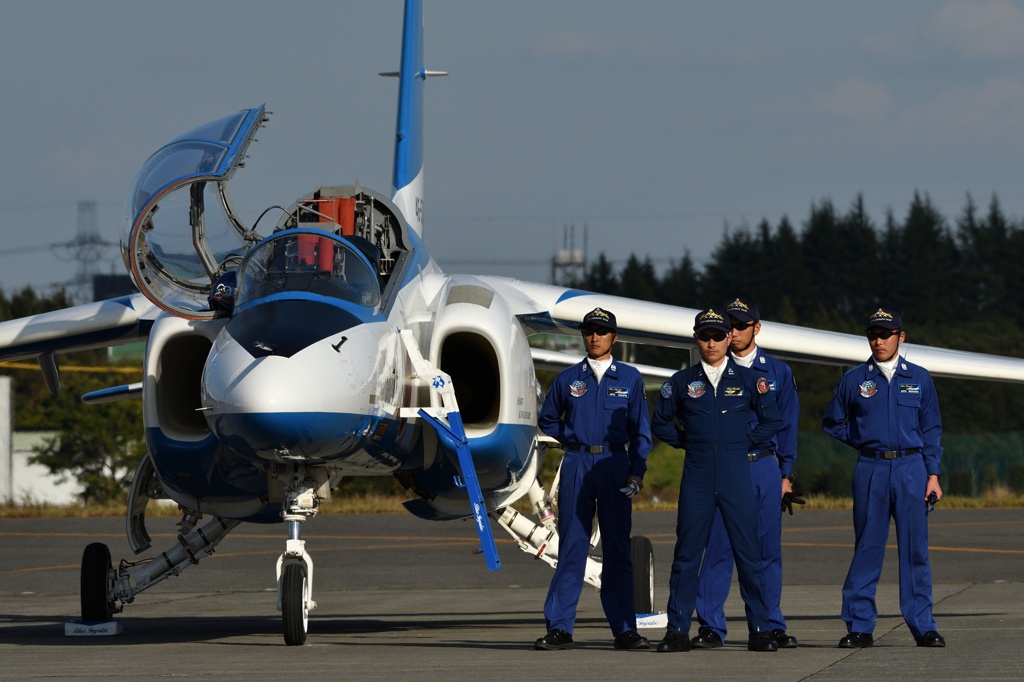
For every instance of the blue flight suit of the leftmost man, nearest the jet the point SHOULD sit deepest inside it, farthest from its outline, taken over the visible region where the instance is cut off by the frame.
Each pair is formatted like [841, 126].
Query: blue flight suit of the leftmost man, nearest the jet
[584, 415]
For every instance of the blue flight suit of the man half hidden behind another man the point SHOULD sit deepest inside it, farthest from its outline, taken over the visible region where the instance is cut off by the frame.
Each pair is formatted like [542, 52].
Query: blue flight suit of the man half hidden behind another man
[775, 462]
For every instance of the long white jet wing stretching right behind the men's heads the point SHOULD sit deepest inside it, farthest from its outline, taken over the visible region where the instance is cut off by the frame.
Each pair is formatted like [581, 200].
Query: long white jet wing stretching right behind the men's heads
[558, 310]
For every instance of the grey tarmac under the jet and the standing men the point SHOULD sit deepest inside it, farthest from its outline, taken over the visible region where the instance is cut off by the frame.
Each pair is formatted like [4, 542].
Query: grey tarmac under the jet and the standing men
[399, 596]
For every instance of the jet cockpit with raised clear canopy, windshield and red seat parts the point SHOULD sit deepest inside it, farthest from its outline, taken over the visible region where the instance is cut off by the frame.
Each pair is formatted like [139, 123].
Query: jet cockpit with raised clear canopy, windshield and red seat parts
[183, 239]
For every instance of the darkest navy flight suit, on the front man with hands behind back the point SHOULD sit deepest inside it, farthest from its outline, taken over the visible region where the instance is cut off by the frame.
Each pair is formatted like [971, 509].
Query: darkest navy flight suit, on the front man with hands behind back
[715, 431]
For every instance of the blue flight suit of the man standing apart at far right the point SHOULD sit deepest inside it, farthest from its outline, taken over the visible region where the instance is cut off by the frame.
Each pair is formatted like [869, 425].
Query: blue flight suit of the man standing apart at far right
[900, 417]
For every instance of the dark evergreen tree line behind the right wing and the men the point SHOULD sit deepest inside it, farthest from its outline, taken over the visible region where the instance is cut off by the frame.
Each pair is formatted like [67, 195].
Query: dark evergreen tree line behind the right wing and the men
[956, 283]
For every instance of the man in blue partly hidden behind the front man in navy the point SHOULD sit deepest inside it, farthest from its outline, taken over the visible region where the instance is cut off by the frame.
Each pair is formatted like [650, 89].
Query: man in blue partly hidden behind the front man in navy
[772, 471]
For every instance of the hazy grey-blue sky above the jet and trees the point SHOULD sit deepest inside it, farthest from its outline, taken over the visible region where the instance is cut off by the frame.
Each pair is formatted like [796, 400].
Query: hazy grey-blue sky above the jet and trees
[658, 125]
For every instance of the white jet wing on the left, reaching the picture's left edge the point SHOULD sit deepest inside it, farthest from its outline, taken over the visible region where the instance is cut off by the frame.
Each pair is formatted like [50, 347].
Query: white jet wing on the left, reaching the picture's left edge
[81, 328]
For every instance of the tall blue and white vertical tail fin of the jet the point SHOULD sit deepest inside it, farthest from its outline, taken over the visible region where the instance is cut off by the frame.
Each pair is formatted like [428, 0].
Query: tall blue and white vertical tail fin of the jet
[407, 178]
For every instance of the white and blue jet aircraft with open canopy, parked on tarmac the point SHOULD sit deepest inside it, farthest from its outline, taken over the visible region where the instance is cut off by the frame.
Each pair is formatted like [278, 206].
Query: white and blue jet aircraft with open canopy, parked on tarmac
[324, 342]
